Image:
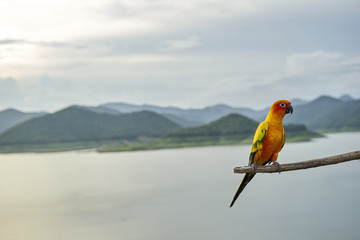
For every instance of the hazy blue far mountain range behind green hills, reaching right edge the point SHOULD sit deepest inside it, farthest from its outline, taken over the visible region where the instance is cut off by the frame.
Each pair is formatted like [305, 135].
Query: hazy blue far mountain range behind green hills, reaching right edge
[324, 113]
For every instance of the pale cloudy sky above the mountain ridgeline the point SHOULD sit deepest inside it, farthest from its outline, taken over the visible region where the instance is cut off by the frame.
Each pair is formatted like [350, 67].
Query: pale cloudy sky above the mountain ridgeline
[183, 53]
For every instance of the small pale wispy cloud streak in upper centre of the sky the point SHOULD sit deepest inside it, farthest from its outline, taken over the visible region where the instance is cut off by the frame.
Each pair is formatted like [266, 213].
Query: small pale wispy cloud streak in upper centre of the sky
[181, 44]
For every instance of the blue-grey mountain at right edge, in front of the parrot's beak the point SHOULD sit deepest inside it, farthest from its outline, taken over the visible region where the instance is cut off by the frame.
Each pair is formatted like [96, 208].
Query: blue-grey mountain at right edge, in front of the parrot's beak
[328, 114]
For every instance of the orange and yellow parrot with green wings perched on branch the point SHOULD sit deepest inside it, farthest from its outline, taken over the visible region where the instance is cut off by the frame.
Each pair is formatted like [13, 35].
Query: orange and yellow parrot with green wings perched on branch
[268, 141]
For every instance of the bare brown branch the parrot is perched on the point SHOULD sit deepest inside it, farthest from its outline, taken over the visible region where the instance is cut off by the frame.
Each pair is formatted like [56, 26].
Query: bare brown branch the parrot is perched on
[302, 165]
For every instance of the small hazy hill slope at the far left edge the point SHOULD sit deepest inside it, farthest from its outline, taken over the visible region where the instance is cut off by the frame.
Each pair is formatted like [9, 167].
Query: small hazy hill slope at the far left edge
[12, 117]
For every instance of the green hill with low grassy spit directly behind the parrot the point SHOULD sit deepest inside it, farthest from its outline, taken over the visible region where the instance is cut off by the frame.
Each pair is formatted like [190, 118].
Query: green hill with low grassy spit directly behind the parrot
[229, 130]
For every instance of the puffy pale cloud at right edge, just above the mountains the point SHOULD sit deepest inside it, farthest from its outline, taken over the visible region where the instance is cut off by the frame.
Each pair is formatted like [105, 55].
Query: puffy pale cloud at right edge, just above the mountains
[308, 74]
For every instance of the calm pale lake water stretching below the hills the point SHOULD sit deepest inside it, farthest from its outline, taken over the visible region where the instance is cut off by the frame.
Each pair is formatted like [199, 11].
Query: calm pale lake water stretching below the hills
[179, 194]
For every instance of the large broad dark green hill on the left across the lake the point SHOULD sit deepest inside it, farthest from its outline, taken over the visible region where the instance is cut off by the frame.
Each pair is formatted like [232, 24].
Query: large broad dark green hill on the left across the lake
[76, 124]
